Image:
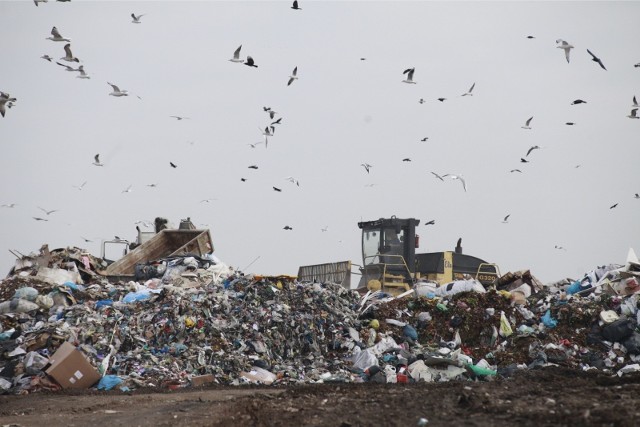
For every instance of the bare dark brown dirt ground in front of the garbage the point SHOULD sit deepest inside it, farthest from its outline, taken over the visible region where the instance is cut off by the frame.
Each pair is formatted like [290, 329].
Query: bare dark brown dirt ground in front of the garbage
[551, 396]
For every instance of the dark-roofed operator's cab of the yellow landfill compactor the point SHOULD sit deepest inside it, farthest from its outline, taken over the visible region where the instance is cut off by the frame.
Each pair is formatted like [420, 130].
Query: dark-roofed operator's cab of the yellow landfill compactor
[388, 254]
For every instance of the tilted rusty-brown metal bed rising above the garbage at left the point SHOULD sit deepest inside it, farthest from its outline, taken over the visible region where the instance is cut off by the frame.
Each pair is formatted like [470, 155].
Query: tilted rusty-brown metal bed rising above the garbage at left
[165, 244]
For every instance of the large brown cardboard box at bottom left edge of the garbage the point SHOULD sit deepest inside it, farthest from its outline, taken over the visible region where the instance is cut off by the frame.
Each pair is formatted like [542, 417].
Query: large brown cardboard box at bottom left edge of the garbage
[71, 369]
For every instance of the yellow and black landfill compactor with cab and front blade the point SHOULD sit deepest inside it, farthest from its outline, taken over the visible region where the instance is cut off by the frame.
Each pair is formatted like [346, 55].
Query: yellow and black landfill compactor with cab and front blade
[390, 262]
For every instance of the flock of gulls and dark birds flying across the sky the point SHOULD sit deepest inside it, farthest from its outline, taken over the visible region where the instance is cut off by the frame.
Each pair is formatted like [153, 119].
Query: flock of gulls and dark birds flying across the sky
[71, 64]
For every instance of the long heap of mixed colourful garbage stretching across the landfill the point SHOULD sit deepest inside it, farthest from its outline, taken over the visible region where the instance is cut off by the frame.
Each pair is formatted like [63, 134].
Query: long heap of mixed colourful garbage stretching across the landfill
[195, 320]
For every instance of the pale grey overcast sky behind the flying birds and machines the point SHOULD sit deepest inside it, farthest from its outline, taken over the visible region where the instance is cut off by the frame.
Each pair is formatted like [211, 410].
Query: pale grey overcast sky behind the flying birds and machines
[341, 112]
